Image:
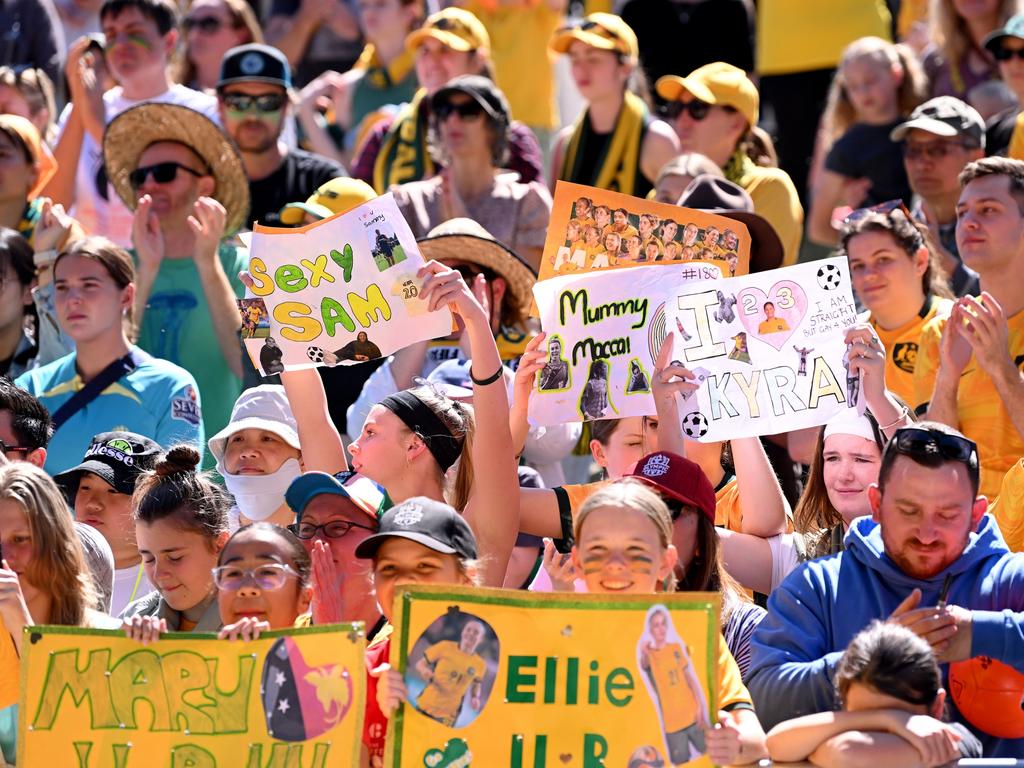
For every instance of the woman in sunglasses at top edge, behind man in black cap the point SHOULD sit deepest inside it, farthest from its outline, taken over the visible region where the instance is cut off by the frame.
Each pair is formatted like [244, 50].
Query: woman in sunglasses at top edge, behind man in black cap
[210, 29]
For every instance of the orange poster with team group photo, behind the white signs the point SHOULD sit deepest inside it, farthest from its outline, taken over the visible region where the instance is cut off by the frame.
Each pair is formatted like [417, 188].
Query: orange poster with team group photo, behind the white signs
[599, 230]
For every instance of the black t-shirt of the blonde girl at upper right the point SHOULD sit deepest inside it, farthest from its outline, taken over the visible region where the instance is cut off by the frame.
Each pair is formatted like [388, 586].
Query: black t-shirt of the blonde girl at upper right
[867, 152]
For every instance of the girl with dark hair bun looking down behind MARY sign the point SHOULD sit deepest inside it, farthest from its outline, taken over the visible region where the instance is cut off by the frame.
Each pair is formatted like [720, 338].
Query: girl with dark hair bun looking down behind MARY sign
[181, 526]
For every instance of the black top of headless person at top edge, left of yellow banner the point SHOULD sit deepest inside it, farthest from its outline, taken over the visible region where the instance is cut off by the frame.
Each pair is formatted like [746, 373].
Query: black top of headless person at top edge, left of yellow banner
[676, 38]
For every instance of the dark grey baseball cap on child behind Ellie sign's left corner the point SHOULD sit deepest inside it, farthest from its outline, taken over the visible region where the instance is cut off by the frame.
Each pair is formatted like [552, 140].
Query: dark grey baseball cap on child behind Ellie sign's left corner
[435, 525]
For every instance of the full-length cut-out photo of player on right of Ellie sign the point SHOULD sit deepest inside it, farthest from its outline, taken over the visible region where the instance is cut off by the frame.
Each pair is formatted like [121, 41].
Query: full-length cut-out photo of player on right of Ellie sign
[682, 706]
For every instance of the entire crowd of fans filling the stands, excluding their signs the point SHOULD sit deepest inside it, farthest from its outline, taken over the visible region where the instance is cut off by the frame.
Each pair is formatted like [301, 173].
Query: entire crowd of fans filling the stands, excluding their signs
[141, 139]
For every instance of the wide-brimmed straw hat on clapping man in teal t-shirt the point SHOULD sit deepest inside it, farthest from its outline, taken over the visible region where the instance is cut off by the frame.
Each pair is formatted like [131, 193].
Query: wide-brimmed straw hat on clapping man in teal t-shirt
[134, 131]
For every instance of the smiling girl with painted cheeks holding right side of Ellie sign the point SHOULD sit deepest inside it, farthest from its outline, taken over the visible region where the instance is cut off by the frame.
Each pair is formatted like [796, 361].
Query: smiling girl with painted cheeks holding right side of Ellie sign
[624, 546]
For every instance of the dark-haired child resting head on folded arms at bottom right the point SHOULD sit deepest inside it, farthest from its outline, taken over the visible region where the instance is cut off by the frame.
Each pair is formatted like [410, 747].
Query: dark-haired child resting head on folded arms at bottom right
[893, 705]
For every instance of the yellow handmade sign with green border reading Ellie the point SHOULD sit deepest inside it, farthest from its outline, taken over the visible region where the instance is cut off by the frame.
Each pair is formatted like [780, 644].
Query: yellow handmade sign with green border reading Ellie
[529, 680]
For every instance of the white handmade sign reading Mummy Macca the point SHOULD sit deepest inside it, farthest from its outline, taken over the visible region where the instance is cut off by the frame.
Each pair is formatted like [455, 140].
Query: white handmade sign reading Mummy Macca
[605, 330]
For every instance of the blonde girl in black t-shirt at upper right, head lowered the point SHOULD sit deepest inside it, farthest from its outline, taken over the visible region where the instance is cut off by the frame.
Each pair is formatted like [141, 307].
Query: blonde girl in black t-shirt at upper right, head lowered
[877, 87]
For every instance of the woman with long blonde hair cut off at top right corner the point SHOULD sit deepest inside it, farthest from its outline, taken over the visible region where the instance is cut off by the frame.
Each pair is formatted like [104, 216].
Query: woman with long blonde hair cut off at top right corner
[957, 61]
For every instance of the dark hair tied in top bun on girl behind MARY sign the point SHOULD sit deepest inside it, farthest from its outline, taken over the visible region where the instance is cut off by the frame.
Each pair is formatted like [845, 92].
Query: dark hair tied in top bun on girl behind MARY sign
[176, 490]
